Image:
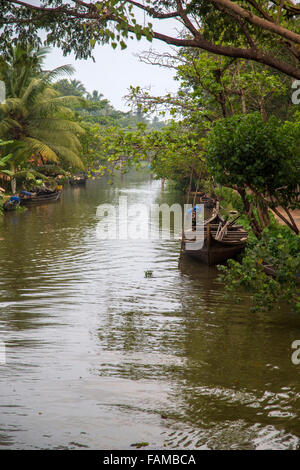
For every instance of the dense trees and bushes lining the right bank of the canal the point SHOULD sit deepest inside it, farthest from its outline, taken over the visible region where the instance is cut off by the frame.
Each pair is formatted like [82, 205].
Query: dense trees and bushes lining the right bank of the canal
[235, 133]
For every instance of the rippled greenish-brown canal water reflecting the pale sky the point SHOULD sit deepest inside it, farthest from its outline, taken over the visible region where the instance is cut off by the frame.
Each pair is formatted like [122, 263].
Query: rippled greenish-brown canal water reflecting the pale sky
[99, 356]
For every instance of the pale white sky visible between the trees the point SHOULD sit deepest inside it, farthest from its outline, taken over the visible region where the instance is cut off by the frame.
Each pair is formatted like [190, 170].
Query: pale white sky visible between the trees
[115, 70]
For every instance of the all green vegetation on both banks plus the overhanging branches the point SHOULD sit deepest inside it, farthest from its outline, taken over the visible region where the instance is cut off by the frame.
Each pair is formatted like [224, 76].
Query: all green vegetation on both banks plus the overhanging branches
[234, 129]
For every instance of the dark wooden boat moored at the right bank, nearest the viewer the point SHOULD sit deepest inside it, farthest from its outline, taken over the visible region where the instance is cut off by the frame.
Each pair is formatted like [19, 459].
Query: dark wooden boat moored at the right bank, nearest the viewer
[204, 245]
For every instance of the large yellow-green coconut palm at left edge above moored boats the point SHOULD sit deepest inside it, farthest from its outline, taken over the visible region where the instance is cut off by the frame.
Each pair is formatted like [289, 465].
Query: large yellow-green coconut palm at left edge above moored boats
[39, 122]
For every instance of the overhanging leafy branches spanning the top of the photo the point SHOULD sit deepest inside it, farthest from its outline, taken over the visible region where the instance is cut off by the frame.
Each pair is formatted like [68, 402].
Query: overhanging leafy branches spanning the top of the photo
[264, 31]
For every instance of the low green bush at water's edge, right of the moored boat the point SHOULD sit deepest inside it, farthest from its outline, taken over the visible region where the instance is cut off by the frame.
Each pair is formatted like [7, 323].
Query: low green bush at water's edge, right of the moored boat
[278, 247]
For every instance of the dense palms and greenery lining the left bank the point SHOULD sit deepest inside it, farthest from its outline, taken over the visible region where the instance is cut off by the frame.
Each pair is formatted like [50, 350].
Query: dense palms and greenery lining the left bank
[50, 126]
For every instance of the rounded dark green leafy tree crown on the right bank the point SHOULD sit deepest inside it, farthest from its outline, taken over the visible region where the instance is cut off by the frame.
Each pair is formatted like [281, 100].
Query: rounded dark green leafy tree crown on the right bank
[245, 151]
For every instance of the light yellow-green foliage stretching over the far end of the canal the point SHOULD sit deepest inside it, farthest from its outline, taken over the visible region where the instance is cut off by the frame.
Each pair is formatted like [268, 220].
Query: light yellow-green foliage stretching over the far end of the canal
[174, 152]
